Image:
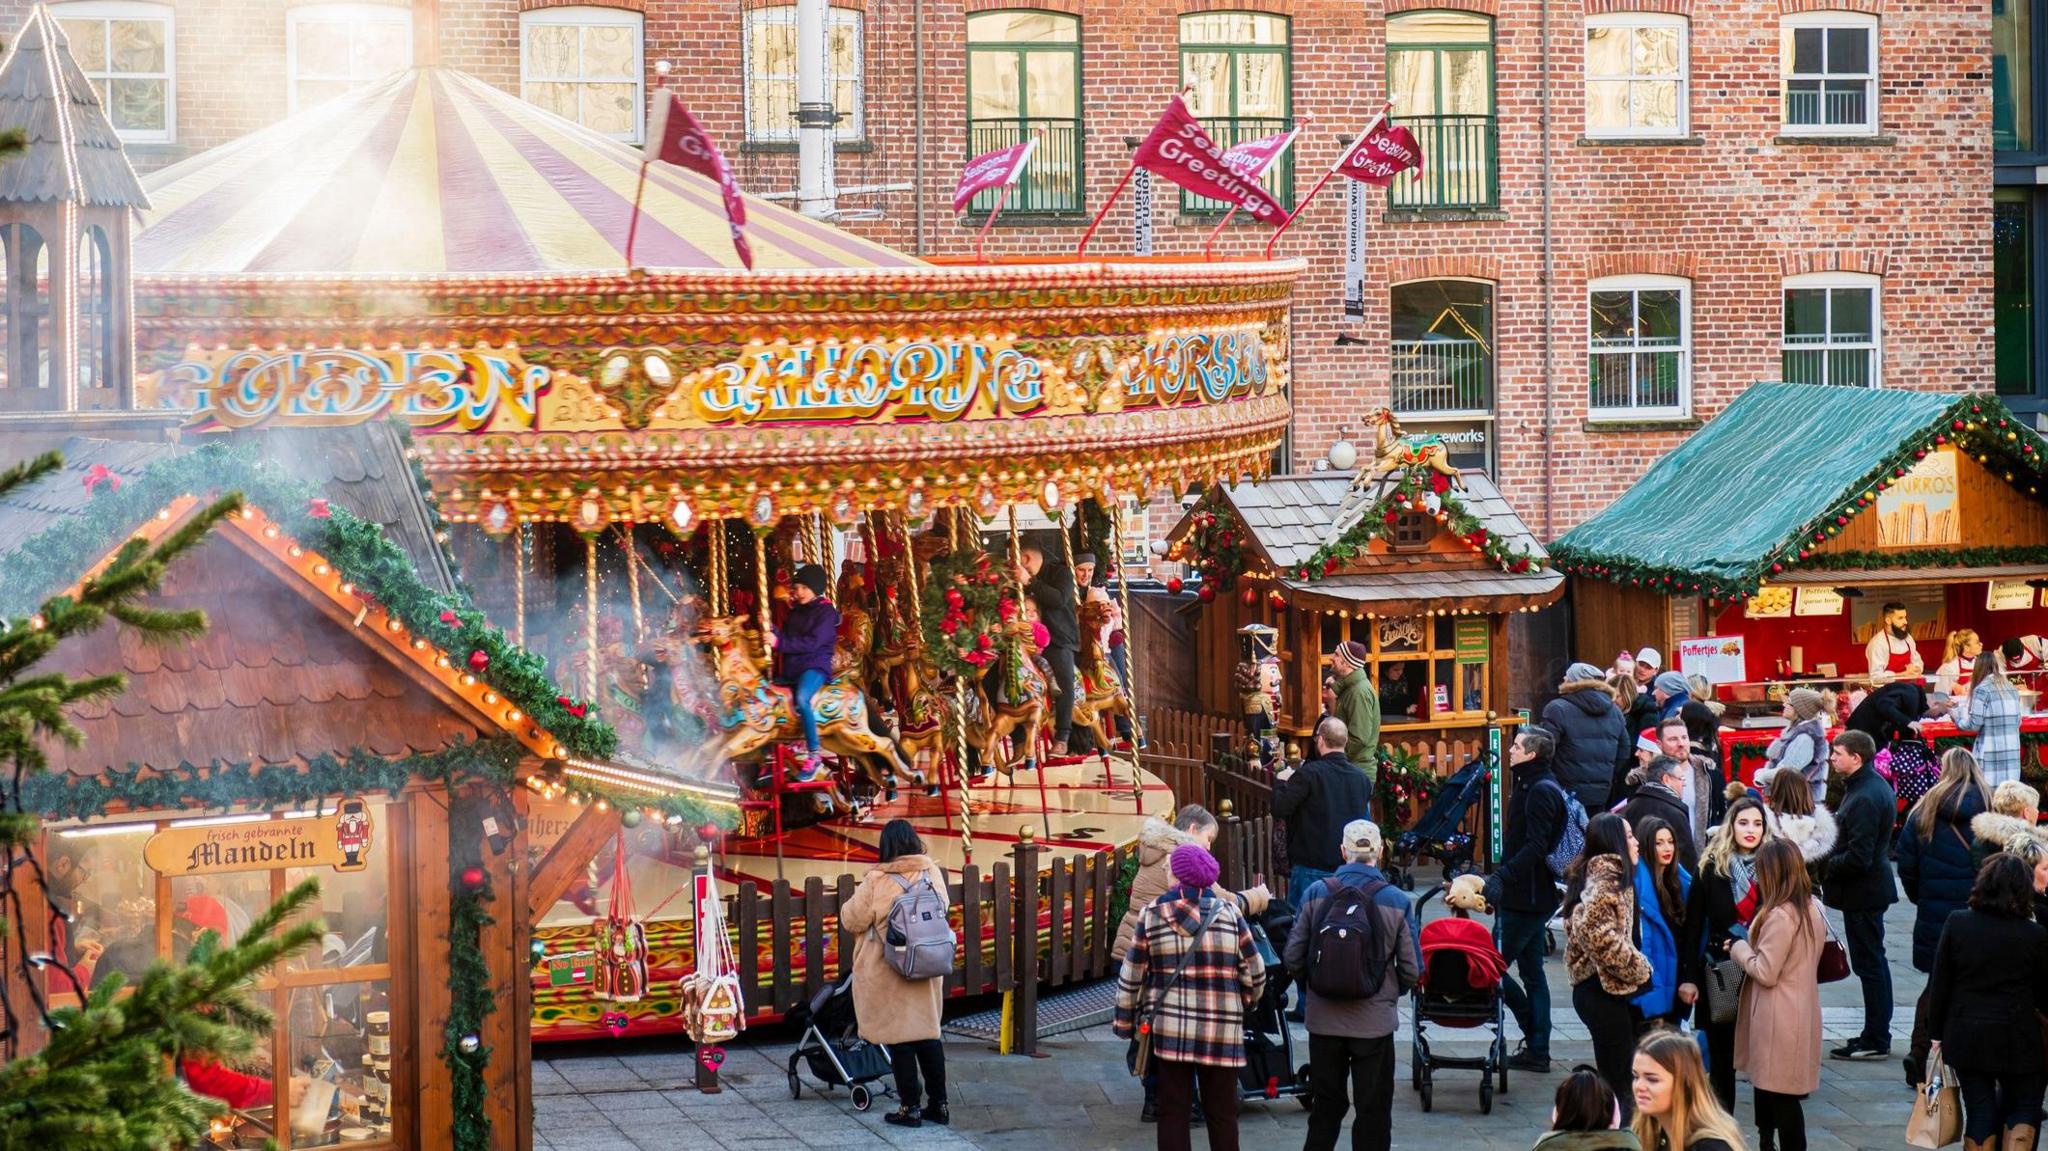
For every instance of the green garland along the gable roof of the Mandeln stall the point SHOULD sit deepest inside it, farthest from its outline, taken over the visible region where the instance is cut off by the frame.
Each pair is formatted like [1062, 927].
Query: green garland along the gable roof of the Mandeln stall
[357, 550]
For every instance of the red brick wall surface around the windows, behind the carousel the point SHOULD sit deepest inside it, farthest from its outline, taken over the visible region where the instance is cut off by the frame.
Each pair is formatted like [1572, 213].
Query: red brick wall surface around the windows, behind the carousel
[1734, 208]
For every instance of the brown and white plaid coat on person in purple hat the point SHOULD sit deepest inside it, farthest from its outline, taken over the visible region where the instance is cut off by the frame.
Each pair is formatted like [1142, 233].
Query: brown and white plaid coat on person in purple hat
[1203, 1017]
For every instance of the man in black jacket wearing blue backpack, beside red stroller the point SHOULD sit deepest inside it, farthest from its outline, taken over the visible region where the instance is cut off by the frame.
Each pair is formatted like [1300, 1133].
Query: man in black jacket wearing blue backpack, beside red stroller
[1523, 890]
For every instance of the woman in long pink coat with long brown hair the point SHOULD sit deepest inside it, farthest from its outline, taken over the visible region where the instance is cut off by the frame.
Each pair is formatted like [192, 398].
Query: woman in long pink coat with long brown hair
[1779, 1023]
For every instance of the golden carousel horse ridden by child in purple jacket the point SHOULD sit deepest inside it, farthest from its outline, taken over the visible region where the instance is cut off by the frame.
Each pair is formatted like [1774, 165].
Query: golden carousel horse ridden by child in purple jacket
[757, 712]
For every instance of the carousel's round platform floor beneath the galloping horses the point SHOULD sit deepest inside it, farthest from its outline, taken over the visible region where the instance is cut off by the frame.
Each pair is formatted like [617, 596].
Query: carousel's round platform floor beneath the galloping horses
[1089, 808]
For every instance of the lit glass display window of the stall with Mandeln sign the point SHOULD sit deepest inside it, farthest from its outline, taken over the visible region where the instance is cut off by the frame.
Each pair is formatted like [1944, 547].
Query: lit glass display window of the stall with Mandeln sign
[148, 890]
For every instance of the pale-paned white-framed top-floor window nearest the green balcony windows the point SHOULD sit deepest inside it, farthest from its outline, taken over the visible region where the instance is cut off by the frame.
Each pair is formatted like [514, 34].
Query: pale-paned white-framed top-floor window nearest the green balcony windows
[1635, 75]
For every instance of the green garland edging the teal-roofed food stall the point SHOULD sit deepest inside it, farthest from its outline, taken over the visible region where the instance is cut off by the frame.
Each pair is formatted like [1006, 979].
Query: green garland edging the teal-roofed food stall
[1977, 425]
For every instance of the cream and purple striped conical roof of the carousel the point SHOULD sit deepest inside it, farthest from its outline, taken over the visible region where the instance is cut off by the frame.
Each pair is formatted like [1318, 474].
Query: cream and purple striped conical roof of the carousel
[437, 173]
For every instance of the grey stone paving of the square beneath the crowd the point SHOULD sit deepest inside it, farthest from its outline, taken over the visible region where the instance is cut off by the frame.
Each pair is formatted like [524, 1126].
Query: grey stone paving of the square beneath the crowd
[1080, 1099]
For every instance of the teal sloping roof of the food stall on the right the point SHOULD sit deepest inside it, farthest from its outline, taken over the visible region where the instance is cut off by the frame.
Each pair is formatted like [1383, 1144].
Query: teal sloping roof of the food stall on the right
[1779, 474]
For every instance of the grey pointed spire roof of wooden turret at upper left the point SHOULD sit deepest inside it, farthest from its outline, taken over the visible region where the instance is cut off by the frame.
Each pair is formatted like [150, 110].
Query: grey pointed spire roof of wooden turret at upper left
[73, 153]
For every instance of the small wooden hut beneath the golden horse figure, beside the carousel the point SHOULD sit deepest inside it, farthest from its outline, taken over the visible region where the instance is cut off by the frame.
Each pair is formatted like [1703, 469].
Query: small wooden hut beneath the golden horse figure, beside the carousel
[1420, 566]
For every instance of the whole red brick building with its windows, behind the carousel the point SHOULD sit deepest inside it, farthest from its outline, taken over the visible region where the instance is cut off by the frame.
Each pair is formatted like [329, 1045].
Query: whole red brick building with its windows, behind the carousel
[1730, 191]
